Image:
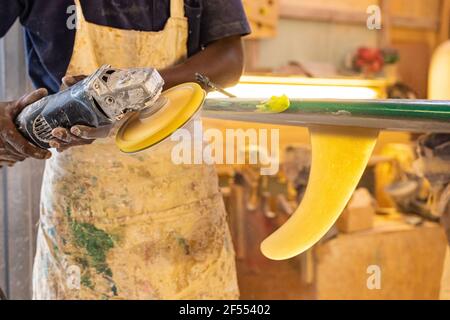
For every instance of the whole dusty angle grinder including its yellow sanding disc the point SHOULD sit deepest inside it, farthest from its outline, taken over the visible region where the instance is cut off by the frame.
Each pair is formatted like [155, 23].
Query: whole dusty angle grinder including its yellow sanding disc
[105, 97]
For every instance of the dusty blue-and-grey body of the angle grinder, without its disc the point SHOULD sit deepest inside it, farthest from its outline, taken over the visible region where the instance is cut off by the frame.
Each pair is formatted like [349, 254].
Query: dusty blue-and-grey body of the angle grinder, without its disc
[98, 100]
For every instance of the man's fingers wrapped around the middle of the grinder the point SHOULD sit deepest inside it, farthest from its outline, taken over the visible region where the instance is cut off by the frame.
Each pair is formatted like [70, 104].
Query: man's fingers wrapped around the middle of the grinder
[77, 135]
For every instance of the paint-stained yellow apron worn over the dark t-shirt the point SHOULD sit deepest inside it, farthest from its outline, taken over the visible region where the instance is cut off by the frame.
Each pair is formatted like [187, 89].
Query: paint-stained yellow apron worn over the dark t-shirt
[118, 226]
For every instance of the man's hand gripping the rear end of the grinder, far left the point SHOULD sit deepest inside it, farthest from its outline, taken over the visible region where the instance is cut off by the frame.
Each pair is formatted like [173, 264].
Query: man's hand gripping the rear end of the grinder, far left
[13, 146]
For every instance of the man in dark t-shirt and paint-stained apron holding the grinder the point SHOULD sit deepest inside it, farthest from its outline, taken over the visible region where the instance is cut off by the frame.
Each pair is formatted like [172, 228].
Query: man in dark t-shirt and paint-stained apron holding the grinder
[115, 225]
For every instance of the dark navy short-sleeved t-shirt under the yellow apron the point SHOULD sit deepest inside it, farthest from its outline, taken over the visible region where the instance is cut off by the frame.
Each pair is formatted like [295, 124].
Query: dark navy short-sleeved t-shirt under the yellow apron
[49, 41]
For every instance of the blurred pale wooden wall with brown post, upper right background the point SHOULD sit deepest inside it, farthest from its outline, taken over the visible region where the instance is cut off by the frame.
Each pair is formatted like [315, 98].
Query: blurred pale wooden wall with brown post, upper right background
[325, 31]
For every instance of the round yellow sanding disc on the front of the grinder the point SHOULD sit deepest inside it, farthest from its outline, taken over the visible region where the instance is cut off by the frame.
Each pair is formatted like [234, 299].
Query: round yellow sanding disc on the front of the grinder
[141, 132]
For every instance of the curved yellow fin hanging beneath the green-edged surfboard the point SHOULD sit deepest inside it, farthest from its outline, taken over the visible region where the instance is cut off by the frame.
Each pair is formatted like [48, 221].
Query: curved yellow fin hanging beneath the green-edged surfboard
[339, 158]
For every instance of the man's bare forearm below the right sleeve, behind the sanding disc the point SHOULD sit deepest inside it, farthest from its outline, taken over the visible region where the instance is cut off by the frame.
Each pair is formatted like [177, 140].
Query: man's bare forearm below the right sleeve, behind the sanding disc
[222, 62]
